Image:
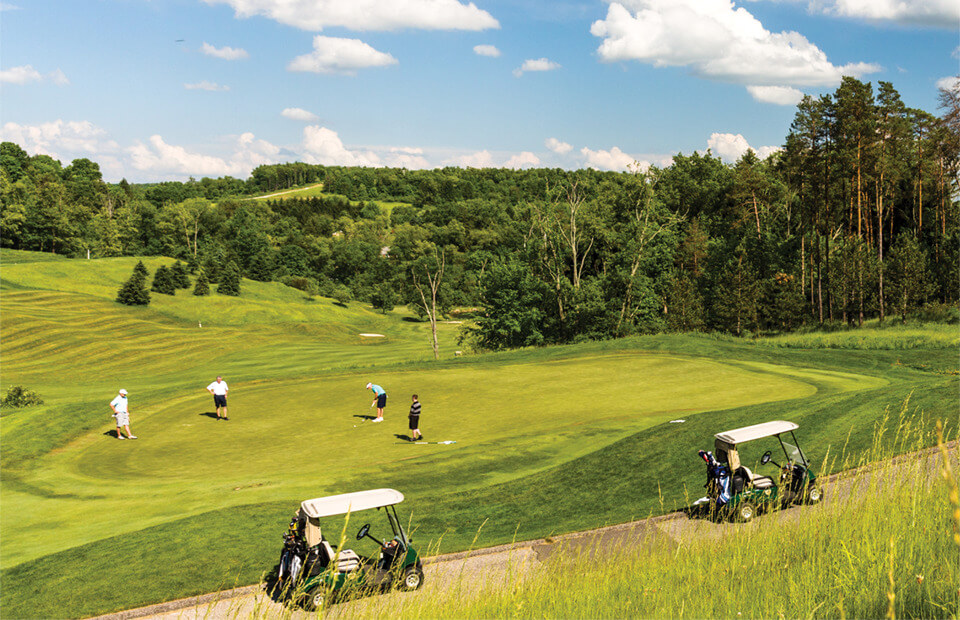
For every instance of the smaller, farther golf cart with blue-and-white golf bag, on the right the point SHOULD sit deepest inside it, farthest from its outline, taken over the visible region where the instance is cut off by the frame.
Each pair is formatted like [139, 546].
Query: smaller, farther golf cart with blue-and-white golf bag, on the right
[737, 492]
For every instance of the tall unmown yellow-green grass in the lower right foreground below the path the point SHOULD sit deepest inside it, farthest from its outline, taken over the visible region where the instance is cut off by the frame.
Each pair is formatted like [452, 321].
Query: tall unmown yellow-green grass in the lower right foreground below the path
[883, 545]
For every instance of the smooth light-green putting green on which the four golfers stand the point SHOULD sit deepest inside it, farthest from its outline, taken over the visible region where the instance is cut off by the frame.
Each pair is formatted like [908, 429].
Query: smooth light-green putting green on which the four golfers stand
[299, 438]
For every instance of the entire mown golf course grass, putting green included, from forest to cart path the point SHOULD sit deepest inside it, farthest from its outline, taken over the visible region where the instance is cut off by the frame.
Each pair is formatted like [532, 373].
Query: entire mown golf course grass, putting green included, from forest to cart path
[548, 440]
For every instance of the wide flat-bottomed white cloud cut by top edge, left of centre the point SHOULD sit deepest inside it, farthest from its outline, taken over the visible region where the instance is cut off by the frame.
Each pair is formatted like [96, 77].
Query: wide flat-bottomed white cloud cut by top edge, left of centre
[367, 14]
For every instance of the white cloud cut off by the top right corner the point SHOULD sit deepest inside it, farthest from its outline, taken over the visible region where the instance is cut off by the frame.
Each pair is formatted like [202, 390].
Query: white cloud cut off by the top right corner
[942, 13]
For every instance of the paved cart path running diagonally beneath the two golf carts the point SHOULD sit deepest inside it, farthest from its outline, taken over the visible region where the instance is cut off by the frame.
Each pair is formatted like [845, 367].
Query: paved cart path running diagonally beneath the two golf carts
[447, 574]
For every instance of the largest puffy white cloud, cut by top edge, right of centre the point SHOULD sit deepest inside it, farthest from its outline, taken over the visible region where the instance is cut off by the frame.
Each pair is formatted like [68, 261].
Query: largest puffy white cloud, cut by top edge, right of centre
[715, 40]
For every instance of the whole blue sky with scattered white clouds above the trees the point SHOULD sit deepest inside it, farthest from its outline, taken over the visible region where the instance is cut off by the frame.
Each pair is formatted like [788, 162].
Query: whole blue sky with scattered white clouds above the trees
[157, 90]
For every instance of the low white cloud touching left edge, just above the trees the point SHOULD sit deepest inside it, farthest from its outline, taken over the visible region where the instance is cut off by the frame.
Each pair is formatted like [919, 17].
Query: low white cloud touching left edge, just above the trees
[60, 139]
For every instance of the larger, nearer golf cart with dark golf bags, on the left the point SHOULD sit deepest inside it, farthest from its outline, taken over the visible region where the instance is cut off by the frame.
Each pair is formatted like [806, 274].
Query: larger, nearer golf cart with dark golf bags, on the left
[312, 572]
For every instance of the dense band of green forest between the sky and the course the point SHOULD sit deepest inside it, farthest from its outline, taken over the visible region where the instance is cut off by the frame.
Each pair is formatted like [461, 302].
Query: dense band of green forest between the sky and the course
[855, 218]
